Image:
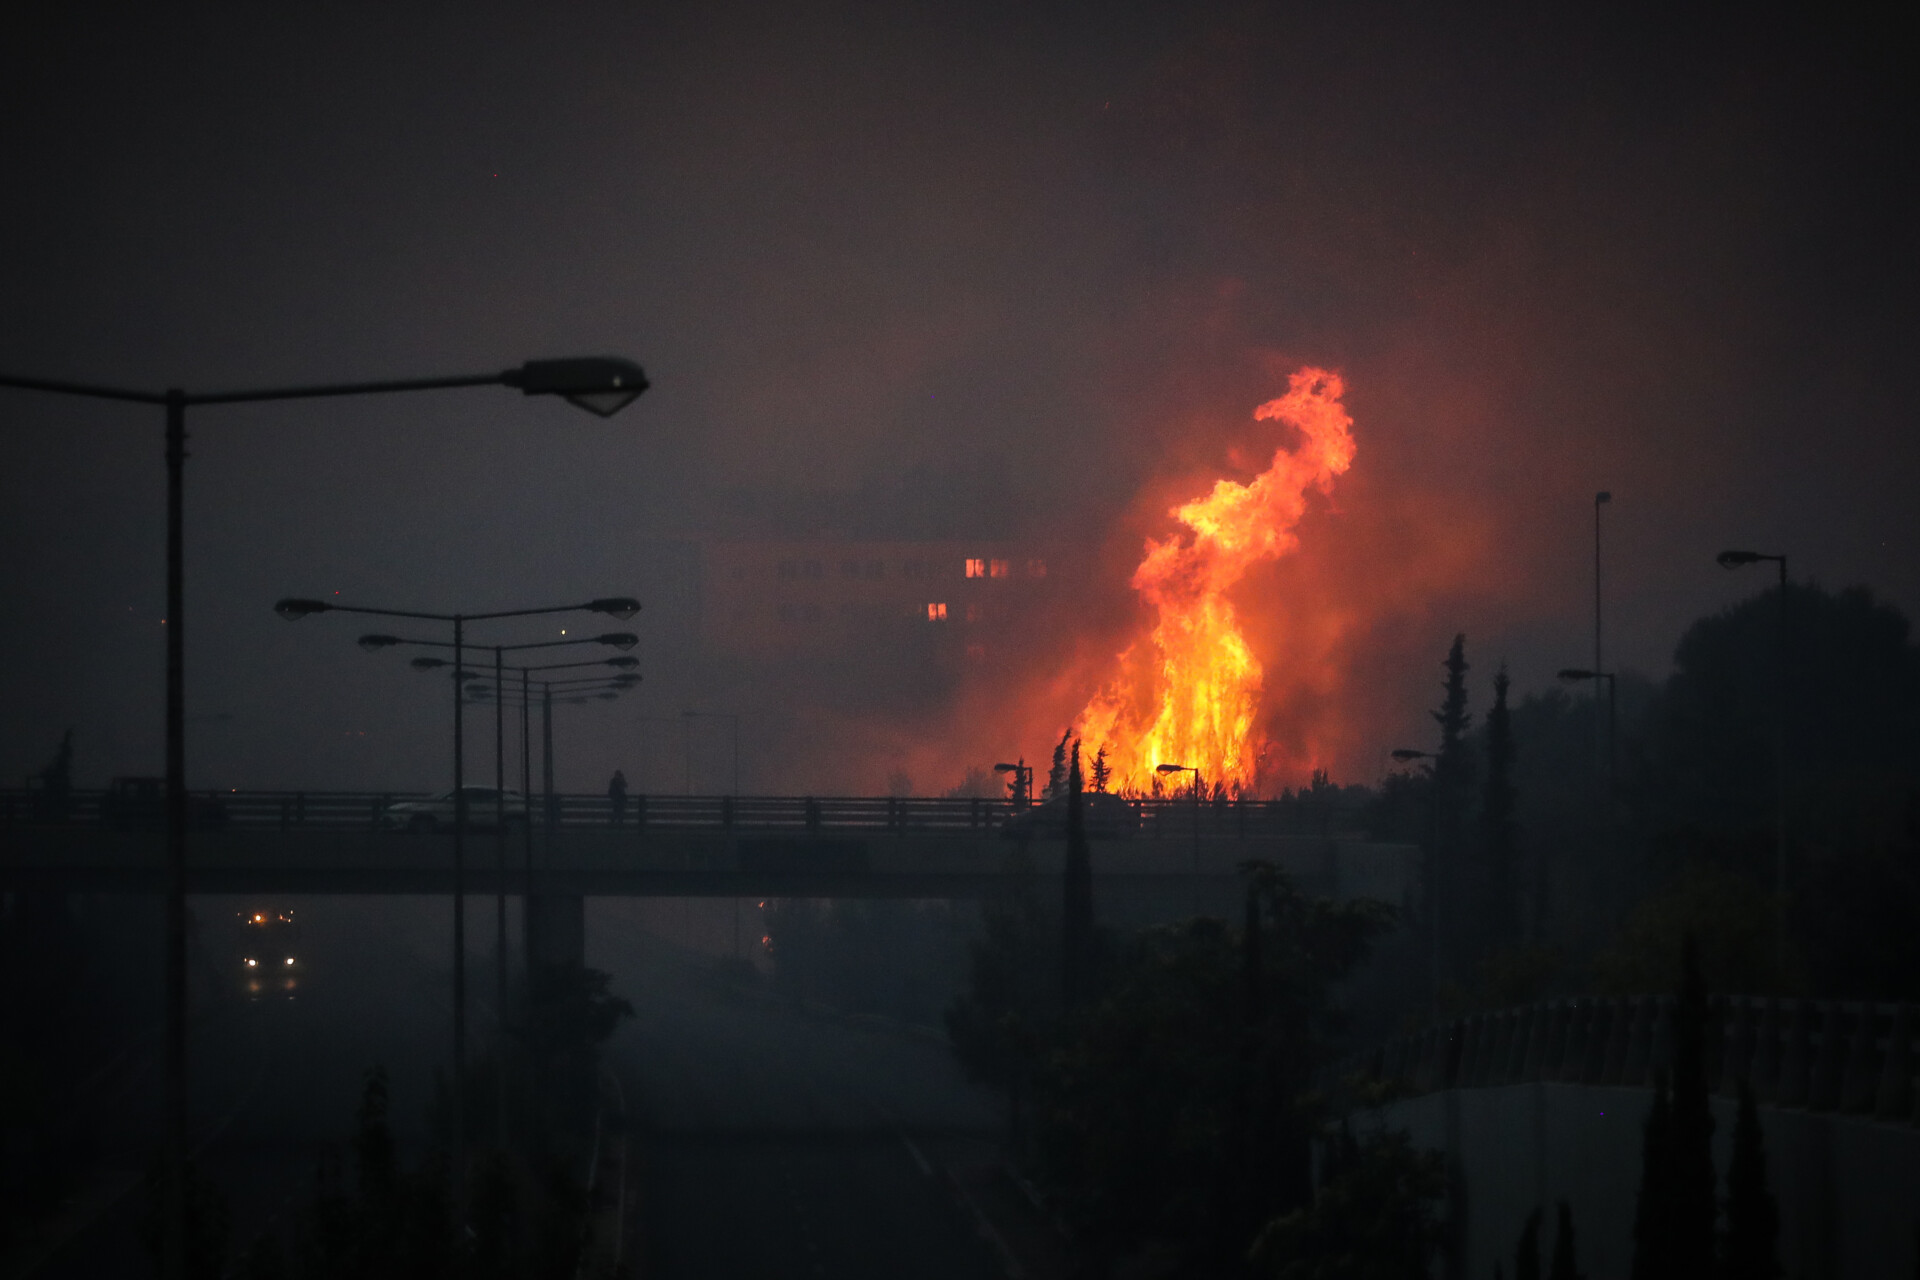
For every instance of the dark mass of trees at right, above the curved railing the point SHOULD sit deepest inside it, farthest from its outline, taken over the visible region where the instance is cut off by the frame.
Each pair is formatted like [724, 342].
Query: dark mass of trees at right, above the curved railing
[1562, 870]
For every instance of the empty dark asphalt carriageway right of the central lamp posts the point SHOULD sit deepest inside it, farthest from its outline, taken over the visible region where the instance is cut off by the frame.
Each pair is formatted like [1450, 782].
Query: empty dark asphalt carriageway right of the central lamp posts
[777, 1143]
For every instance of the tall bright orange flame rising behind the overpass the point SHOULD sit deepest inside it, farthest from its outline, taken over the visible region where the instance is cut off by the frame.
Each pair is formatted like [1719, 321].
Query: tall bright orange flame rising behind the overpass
[1195, 698]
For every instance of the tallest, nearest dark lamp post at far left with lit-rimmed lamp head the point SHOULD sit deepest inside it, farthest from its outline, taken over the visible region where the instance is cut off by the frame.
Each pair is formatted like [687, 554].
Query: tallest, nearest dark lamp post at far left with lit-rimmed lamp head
[598, 385]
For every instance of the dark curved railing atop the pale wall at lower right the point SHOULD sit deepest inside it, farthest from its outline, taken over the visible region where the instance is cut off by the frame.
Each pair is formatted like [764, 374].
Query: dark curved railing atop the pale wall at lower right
[1842, 1056]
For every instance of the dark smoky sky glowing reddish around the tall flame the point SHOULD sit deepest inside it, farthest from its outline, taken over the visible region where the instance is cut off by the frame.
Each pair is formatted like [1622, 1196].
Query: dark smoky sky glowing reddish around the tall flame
[1040, 258]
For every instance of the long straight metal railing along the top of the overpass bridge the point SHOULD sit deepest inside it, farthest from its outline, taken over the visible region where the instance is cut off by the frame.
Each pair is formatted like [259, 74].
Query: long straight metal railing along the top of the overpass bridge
[1166, 818]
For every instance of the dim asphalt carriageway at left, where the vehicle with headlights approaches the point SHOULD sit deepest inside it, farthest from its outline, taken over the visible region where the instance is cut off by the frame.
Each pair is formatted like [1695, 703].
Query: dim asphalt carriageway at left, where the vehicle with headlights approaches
[276, 1083]
